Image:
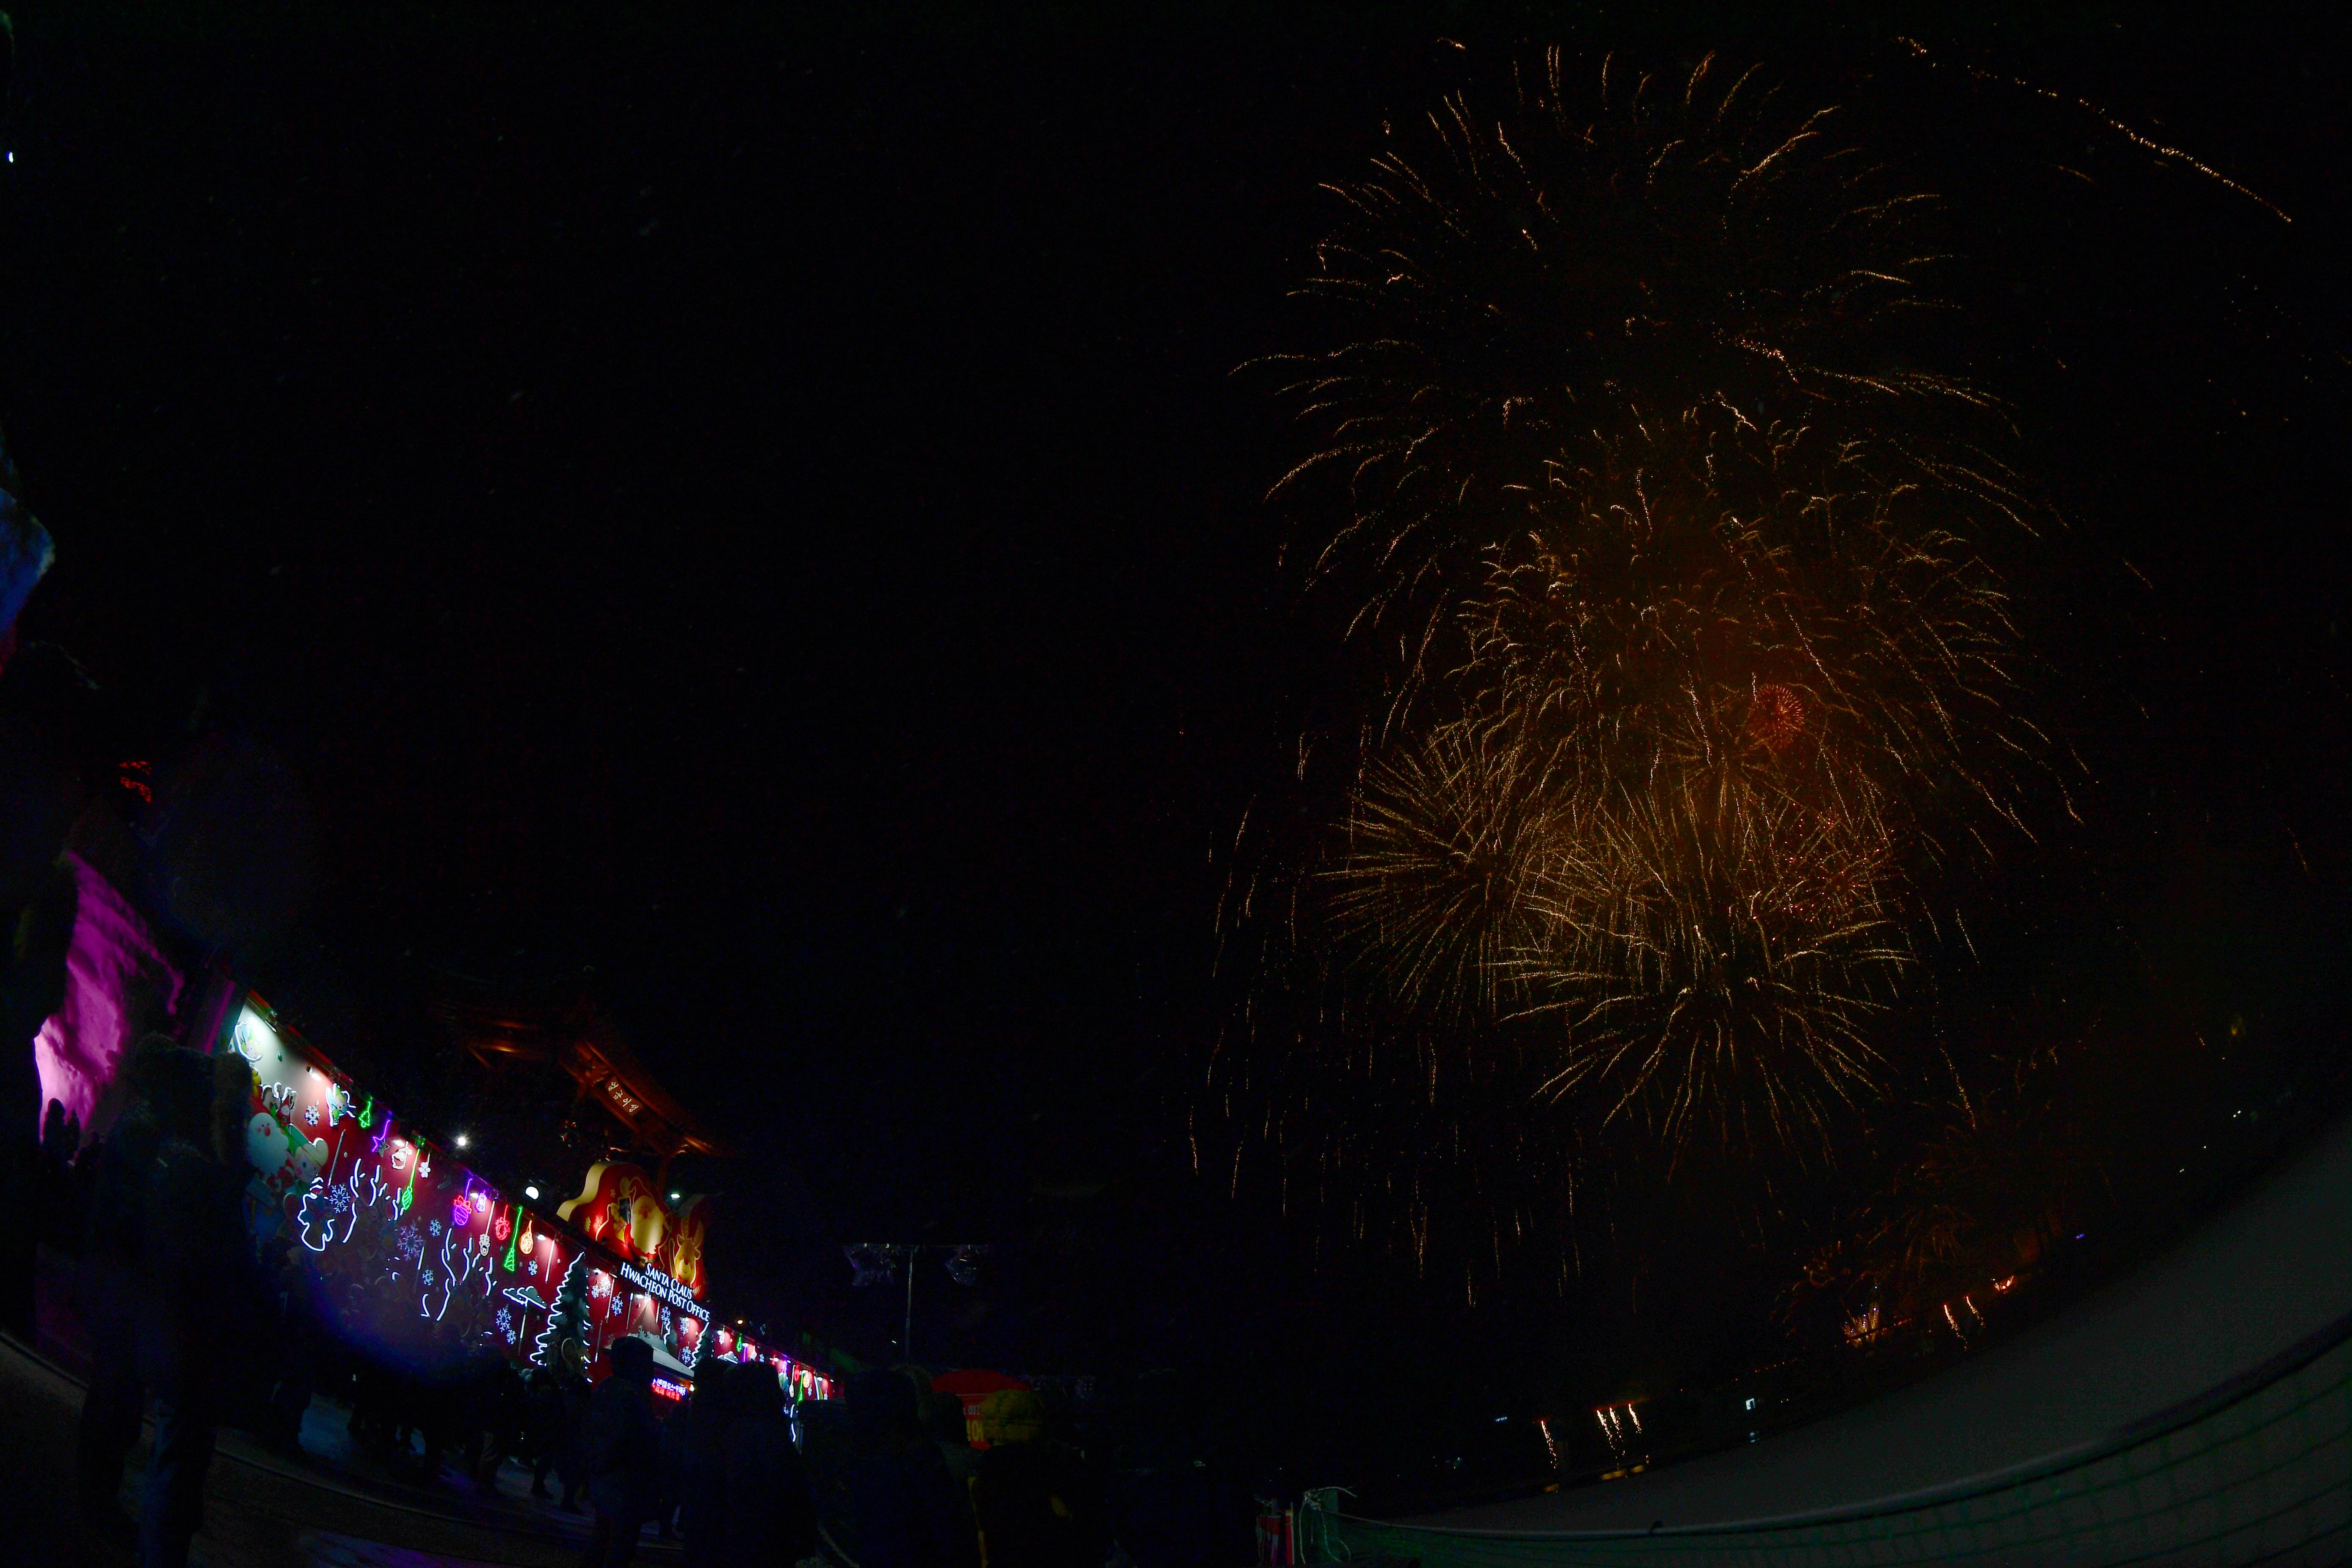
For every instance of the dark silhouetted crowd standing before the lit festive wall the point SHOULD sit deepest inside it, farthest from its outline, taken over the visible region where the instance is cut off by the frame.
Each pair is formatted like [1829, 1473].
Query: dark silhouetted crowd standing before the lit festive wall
[192, 1320]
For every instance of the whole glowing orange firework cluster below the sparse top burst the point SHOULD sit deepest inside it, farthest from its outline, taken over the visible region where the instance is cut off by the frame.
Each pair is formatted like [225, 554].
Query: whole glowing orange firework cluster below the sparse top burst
[1702, 709]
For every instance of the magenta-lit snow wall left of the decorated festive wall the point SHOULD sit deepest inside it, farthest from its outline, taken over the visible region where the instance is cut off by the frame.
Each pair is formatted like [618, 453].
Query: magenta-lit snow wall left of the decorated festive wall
[83, 1045]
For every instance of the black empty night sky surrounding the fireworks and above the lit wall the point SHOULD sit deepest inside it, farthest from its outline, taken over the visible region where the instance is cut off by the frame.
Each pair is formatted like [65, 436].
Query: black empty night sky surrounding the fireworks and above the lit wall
[763, 525]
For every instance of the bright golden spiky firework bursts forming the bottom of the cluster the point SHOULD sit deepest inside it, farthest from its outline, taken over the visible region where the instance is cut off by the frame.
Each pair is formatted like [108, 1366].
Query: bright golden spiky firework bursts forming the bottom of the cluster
[1678, 916]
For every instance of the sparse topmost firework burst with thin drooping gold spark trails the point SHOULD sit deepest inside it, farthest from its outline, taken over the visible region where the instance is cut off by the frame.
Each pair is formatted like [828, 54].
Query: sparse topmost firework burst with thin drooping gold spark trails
[1509, 283]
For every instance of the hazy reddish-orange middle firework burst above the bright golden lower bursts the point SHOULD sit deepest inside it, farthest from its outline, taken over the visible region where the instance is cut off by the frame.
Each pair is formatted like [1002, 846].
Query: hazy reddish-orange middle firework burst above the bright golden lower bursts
[1720, 561]
